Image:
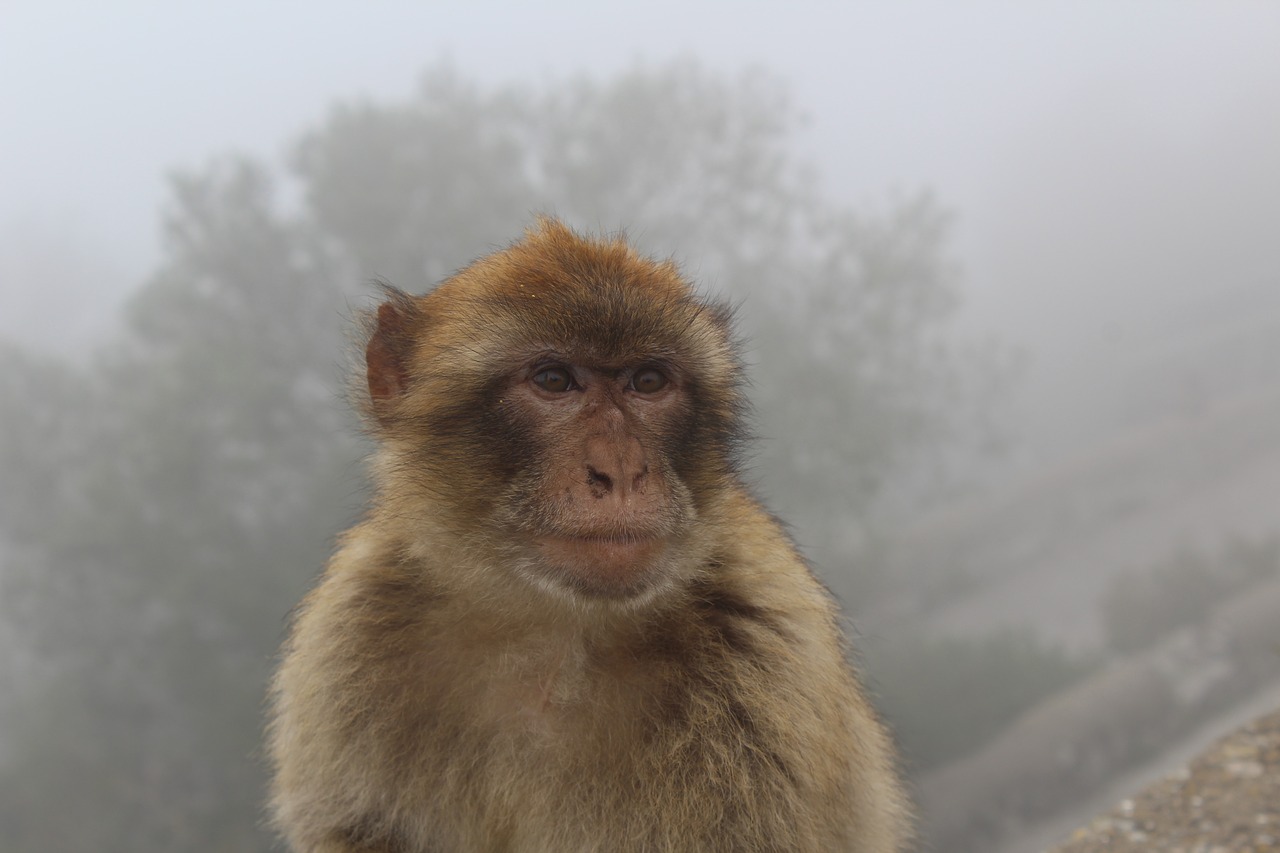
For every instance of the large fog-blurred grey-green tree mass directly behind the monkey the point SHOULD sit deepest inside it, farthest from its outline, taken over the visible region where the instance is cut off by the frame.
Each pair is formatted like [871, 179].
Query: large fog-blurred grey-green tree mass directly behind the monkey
[168, 501]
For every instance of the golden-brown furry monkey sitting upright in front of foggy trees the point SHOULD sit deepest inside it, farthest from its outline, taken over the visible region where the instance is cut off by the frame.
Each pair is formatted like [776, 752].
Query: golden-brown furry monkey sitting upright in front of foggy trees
[565, 623]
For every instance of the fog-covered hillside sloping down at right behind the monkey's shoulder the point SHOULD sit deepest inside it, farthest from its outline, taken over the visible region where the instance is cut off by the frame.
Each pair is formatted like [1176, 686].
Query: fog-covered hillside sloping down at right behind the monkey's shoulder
[1187, 460]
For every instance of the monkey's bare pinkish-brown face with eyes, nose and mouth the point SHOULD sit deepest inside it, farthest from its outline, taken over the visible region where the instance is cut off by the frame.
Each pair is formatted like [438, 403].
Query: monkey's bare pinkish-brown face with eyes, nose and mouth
[598, 501]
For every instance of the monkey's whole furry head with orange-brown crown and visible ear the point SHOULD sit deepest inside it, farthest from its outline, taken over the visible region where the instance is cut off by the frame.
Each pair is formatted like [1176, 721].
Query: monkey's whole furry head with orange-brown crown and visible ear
[566, 402]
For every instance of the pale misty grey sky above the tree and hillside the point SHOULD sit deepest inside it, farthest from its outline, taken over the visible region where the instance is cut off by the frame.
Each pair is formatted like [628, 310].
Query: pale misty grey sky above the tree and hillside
[1105, 159]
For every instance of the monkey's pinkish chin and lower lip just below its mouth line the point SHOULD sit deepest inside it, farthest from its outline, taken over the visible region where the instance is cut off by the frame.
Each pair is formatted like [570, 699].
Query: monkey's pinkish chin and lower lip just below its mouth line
[604, 567]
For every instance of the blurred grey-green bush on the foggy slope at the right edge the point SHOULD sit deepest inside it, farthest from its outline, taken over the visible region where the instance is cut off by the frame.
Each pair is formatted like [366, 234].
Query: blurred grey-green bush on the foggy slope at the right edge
[1140, 609]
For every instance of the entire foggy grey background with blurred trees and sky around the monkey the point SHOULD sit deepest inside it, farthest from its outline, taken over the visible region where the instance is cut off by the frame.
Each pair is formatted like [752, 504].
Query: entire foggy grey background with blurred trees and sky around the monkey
[1054, 486]
